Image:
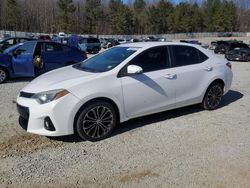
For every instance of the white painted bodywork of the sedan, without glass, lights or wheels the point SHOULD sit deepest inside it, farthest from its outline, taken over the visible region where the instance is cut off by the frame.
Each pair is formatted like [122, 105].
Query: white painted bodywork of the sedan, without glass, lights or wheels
[135, 96]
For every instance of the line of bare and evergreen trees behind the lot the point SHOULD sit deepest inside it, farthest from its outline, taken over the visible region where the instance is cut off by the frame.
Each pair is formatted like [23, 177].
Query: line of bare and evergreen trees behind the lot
[117, 17]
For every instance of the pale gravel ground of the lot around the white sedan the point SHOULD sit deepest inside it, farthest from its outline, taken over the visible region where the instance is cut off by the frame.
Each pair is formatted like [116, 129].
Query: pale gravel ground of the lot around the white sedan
[187, 147]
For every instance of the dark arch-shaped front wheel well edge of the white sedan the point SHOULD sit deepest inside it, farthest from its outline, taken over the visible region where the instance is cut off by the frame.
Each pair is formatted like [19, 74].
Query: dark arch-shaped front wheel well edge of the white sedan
[102, 99]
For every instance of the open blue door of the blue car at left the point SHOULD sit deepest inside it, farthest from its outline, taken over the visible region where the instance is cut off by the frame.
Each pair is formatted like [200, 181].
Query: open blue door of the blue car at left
[22, 63]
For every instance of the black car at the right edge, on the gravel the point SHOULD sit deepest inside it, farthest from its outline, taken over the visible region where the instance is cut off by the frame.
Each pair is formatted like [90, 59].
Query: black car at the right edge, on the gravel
[239, 54]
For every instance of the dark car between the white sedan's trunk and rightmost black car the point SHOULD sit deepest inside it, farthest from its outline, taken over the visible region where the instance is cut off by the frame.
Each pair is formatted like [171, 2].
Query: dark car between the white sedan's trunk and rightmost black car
[223, 47]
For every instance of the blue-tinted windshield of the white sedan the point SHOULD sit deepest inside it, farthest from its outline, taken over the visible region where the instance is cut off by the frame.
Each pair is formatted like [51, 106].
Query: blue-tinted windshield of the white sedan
[107, 60]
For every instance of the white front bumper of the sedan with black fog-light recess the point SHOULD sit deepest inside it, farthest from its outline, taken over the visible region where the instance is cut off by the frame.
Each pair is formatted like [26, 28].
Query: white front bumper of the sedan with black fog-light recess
[61, 113]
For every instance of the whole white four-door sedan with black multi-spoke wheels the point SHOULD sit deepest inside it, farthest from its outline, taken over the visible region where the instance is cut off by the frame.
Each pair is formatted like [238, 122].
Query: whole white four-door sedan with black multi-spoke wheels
[124, 82]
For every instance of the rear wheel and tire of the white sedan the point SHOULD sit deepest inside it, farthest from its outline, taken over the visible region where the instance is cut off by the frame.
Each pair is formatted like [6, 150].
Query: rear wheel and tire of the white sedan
[213, 96]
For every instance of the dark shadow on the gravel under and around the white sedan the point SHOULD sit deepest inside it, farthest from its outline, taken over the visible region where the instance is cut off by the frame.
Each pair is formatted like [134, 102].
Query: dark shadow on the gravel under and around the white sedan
[229, 98]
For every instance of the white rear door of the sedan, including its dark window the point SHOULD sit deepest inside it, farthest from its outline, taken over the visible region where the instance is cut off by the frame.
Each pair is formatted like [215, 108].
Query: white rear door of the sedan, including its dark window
[192, 73]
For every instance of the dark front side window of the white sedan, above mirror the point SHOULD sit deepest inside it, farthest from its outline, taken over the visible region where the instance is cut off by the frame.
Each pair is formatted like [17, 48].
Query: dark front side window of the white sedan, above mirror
[152, 59]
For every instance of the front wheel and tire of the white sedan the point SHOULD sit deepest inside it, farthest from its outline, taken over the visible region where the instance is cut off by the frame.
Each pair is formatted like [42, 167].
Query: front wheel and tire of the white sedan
[96, 121]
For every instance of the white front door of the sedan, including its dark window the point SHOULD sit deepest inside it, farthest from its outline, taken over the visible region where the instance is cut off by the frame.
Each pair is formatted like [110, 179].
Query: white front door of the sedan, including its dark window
[154, 89]
